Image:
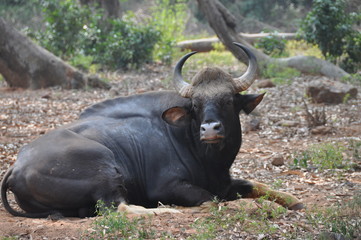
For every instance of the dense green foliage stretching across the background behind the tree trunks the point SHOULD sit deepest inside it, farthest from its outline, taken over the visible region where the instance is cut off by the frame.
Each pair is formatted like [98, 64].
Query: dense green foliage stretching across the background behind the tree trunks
[148, 31]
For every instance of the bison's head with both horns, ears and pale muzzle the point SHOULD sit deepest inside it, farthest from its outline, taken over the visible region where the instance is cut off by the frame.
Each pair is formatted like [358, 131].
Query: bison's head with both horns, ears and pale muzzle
[215, 100]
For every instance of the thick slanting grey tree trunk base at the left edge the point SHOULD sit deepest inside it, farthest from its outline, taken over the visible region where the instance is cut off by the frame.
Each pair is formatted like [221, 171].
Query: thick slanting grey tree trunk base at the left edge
[26, 65]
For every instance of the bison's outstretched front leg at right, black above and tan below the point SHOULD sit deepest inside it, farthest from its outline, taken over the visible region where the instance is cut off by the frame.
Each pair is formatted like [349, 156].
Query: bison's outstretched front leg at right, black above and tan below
[248, 189]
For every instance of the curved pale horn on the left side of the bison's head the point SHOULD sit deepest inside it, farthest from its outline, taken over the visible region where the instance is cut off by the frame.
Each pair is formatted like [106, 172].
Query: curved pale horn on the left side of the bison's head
[180, 85]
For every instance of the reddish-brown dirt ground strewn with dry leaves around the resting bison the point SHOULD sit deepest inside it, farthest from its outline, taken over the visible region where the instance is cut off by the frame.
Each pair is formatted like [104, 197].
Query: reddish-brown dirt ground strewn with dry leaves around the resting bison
[282, 132]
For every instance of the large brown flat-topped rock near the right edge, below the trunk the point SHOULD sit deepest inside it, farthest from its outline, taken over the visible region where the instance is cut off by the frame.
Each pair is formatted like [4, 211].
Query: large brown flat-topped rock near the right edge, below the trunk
[331, 92]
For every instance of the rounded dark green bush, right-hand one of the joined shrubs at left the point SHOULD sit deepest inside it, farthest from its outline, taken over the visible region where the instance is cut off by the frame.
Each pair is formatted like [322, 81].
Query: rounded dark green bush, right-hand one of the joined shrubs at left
[123, 44]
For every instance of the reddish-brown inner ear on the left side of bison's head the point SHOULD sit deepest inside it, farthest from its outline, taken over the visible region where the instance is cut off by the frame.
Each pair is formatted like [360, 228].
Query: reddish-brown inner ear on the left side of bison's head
[177, 116]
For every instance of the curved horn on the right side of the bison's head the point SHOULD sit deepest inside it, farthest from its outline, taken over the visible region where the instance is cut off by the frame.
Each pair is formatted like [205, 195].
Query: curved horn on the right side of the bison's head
[245, 81]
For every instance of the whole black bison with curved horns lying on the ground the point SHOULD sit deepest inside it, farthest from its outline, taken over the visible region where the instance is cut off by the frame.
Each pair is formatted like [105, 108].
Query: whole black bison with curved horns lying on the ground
[169, 147]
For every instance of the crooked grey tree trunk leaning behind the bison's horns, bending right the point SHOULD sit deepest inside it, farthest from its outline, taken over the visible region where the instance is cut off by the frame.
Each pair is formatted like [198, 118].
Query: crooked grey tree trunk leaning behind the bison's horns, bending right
[224, 23]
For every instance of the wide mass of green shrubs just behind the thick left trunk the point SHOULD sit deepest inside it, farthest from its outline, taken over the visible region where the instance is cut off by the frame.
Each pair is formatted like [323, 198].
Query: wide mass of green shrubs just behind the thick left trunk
[74, 30]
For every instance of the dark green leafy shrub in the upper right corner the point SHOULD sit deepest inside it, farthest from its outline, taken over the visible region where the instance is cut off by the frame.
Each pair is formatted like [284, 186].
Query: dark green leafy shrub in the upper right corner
[331, 28]
